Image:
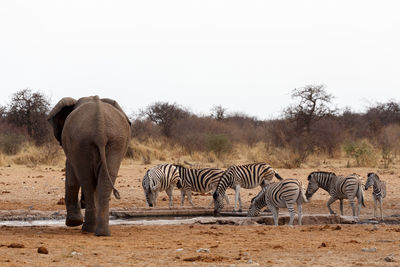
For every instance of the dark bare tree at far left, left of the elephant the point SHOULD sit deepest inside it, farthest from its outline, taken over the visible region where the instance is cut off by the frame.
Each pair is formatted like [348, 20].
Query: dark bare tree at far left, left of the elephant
[29, 109]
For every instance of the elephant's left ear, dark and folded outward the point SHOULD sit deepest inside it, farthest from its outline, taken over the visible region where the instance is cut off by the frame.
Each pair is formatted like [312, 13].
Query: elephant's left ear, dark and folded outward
[59, 114]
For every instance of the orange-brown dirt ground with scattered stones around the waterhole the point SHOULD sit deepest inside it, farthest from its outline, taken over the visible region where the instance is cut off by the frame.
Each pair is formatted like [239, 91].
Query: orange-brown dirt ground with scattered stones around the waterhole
[41, 188]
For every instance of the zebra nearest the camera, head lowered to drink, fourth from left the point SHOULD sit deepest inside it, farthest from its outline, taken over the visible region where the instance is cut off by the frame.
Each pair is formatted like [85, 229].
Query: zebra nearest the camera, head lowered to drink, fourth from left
[283, 194]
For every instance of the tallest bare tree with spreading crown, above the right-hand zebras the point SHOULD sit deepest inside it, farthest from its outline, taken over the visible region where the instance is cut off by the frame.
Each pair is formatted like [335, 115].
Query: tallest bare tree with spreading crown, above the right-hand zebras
[313, 104]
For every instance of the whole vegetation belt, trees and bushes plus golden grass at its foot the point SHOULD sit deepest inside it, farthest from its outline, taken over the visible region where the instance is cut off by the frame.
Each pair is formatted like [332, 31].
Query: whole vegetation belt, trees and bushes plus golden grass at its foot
[307, 132]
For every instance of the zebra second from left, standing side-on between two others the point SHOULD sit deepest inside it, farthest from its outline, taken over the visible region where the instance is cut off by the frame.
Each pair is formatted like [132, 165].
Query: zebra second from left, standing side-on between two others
[200, 180]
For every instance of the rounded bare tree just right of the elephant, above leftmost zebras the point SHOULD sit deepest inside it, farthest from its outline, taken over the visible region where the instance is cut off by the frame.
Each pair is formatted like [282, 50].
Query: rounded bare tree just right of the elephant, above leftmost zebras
[165, 115]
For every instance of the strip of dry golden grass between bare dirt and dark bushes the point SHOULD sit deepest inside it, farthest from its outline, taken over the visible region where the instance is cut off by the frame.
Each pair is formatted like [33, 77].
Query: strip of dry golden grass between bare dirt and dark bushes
[151, 152]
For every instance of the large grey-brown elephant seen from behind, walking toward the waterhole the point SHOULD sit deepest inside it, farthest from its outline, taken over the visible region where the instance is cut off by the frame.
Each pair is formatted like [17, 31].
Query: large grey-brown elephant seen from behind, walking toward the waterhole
[94, 134]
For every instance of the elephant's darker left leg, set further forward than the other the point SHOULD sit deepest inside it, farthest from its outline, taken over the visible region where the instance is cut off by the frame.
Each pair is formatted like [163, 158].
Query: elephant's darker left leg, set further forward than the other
[74, 215]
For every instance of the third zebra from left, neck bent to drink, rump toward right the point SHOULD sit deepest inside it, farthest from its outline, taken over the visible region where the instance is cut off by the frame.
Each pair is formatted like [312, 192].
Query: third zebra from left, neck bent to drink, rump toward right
[246, 176]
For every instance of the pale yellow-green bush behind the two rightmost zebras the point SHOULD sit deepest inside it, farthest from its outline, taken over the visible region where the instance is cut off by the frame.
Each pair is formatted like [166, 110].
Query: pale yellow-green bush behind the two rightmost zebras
[363, 153]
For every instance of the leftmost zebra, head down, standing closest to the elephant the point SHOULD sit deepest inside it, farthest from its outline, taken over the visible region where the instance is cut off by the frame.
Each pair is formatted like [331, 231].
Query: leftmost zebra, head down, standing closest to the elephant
[159, 178]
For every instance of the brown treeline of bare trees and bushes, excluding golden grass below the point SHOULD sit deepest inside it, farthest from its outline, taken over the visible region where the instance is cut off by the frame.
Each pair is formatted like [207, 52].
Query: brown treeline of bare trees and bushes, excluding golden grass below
[311, 125]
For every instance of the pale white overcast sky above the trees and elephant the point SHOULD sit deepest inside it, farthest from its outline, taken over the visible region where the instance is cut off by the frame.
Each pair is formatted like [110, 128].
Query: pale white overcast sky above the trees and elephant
[246, 56]
